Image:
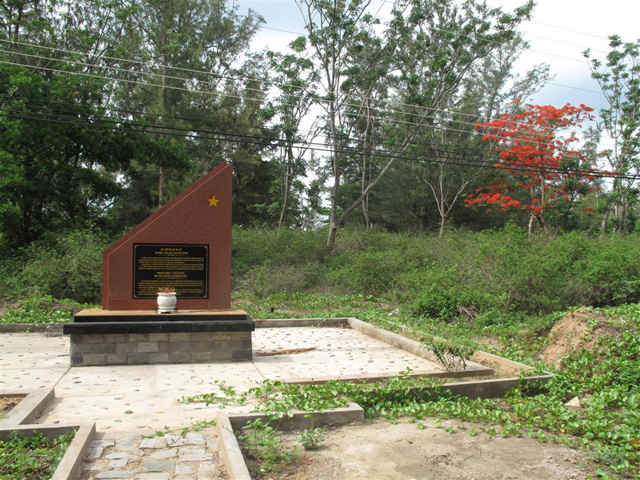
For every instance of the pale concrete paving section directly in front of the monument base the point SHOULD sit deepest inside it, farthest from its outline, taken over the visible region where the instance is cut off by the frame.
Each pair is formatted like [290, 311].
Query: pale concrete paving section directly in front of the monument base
[144, 398]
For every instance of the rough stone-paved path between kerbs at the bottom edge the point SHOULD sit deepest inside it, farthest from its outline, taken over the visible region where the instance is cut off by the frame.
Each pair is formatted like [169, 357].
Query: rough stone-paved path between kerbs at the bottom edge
[193, 456]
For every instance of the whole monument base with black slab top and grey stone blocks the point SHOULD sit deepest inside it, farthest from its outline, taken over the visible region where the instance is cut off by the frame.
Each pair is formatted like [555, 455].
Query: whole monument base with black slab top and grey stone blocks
[111, 337]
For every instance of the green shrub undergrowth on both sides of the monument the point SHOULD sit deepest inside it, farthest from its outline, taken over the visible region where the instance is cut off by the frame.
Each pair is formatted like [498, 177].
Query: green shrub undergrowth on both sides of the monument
[479, 274]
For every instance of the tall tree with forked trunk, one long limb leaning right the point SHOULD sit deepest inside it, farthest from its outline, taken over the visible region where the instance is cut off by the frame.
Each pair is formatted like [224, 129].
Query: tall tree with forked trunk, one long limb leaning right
[429, 45]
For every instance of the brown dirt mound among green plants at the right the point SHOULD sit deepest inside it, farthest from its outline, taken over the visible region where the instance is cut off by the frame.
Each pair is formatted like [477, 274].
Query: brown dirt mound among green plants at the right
[574, 331]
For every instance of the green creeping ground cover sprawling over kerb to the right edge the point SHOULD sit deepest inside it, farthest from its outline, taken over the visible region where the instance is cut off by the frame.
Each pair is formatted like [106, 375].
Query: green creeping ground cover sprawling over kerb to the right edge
[605, 377]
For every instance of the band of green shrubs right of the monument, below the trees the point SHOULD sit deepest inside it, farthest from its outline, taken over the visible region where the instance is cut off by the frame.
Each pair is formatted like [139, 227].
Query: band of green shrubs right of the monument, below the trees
[503, 270]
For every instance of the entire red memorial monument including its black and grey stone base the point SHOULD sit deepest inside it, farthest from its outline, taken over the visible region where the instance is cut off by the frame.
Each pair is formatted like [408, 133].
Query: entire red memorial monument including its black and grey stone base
[183, 248]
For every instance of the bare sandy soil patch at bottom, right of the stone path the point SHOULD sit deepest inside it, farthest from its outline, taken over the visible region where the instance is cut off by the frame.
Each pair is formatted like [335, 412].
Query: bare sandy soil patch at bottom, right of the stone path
[380, 450]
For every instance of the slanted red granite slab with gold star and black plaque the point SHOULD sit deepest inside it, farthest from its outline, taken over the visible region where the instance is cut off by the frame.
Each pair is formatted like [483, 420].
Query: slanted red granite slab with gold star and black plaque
[186, 245]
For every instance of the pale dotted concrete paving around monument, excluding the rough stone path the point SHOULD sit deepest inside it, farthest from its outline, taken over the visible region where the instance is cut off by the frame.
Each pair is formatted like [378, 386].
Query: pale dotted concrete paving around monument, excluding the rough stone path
[145, 398]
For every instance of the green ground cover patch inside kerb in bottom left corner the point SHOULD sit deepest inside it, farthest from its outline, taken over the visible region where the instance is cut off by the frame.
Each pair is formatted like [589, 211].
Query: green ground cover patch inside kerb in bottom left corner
[35, 458]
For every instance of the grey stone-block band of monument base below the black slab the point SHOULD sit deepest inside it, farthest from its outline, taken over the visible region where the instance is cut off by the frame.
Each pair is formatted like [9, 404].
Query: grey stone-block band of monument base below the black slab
[158, 348]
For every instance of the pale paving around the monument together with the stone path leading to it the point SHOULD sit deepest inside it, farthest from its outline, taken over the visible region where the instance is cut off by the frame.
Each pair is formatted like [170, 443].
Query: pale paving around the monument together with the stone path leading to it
[129, 404]
